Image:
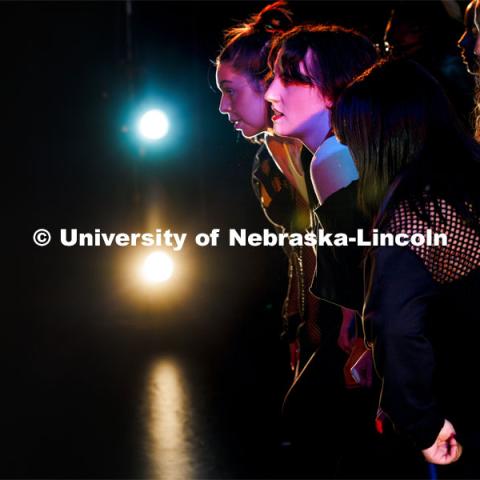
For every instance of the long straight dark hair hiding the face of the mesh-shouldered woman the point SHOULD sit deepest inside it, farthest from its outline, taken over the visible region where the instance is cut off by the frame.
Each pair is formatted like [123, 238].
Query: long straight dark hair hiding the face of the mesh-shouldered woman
[399, 125]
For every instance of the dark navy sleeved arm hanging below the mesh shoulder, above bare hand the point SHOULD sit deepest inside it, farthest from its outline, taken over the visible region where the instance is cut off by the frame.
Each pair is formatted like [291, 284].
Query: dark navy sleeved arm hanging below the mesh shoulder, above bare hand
[395, 315]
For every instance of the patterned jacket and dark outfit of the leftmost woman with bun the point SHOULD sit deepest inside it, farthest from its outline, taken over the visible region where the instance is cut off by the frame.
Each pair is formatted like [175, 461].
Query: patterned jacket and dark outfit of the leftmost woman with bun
[315, 400]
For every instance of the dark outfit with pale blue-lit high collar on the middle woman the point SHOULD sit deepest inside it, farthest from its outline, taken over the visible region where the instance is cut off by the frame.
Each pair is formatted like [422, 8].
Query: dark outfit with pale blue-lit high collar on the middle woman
[339, 280]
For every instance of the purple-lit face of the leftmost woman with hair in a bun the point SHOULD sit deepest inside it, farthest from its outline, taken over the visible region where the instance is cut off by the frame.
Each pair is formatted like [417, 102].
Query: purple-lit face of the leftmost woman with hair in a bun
[242, 100]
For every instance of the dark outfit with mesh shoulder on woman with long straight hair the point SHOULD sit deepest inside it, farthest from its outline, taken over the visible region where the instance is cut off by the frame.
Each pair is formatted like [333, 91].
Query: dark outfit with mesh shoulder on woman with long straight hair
[421, 318]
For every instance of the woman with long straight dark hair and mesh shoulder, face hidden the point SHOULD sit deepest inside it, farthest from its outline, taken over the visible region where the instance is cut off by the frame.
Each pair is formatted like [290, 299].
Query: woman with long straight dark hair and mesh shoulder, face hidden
[420, 170]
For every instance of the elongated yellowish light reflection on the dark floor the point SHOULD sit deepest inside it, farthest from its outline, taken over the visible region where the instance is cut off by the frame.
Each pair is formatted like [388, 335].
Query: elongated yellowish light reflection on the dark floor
[169, 423]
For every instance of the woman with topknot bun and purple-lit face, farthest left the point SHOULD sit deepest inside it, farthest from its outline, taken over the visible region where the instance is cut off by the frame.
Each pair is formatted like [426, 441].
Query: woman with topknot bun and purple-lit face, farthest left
[281, 182]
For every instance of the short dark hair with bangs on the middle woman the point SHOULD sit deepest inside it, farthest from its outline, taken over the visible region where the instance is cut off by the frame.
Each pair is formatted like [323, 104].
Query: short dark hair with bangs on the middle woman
[338, 55]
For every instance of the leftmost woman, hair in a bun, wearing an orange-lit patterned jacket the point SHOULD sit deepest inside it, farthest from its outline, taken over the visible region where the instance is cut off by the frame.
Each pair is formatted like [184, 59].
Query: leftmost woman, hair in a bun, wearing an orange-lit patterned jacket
[284, 195]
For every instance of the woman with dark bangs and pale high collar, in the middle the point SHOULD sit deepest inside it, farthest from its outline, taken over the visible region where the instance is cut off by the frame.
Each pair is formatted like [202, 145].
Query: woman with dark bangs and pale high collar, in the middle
[310, 67]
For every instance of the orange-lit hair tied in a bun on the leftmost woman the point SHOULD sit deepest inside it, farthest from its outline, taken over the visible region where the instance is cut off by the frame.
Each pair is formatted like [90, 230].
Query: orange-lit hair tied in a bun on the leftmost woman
[247, 45]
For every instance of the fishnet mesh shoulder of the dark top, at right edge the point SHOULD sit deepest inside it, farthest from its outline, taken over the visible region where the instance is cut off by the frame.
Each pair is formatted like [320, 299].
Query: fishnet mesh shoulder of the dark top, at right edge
[445, 263]
